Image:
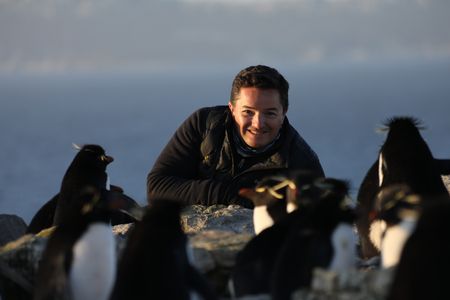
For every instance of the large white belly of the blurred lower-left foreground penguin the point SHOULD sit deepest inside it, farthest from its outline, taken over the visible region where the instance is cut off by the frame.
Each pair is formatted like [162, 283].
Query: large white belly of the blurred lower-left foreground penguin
[93, 267]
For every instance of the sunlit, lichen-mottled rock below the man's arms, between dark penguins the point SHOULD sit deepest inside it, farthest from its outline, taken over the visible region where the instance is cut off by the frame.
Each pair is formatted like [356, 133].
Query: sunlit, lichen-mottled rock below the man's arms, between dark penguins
[217, 233]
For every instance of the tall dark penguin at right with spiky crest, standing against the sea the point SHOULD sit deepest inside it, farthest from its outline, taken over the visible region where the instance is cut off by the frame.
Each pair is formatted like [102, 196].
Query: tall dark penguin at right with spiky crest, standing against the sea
[404, 158]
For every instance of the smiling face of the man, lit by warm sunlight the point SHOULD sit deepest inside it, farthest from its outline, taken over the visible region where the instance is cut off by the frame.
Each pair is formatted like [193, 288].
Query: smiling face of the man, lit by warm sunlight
[258, 115]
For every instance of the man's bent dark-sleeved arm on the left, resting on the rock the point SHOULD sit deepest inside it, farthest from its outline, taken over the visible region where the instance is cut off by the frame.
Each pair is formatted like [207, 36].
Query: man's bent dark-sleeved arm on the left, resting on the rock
[175, 172]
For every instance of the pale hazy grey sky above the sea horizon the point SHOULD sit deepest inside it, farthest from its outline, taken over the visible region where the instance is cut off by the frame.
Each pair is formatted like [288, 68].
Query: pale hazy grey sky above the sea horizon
[59, 36]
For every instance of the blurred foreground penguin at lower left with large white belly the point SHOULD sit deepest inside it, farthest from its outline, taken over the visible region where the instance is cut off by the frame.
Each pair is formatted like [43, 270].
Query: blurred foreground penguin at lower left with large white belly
[79, 261]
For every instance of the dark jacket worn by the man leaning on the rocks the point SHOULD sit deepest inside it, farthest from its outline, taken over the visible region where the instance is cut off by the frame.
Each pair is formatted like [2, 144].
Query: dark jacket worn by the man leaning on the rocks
[199, 163]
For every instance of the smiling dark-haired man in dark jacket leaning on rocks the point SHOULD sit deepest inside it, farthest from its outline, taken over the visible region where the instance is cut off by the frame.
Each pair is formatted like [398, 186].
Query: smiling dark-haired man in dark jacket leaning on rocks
[212, 150]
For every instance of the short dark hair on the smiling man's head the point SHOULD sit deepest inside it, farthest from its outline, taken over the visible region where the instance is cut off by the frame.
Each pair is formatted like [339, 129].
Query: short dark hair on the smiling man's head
[262, 77]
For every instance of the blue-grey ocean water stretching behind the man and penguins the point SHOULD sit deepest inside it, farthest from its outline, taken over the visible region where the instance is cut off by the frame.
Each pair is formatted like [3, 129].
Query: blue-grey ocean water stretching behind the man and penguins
[337, 109]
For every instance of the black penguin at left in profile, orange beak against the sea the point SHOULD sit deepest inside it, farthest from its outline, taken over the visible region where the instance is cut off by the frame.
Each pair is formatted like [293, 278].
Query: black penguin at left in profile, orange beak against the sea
[88, 168]
